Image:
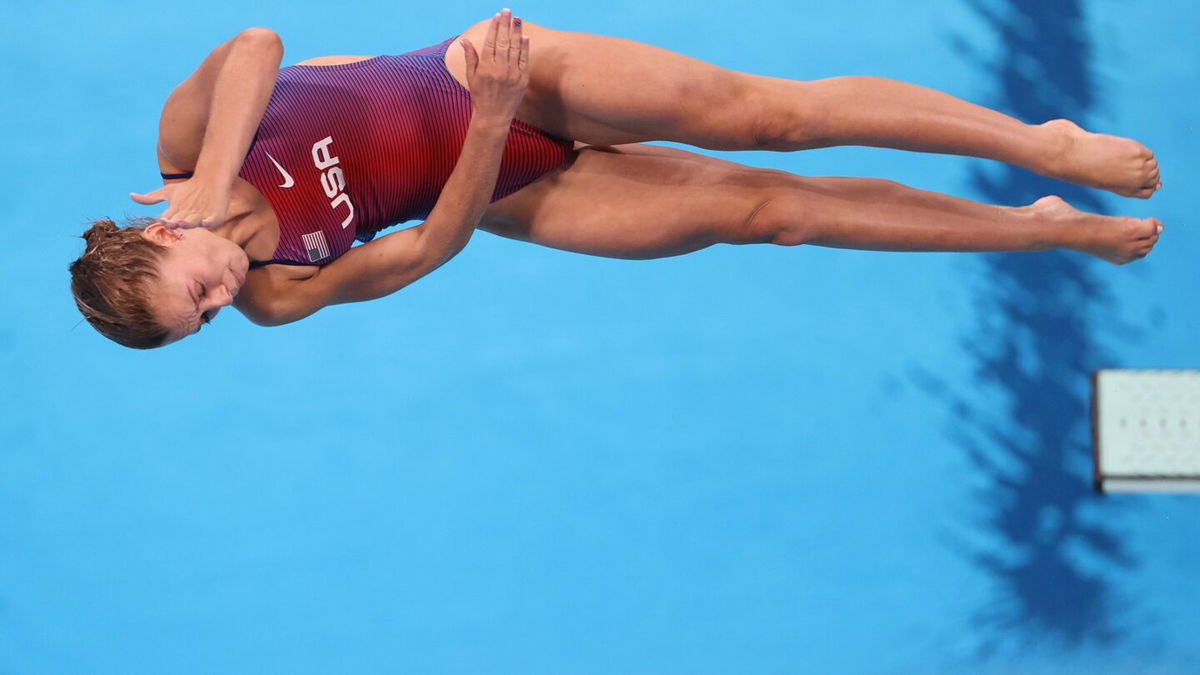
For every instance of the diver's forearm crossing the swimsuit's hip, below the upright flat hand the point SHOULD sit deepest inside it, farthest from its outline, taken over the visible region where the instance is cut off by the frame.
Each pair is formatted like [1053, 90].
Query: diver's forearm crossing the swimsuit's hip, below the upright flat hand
[469, 192]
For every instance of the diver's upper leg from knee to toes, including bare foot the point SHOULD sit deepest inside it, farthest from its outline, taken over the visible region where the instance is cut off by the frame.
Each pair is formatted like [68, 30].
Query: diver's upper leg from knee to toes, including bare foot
[887, 114]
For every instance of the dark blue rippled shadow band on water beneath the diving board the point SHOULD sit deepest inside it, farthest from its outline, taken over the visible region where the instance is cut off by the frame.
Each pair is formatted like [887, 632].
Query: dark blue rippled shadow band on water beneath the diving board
[1039, 531]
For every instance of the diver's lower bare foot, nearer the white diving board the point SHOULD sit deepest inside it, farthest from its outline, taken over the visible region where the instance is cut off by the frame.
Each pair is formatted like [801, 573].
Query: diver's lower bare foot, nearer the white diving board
[1117, 240]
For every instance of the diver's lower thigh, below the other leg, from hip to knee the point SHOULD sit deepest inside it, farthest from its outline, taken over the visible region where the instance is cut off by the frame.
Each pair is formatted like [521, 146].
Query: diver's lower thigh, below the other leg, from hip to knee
[640, 202]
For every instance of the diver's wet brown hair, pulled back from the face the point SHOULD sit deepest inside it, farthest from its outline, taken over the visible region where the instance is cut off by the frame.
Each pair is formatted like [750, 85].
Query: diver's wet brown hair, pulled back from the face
[112, 283]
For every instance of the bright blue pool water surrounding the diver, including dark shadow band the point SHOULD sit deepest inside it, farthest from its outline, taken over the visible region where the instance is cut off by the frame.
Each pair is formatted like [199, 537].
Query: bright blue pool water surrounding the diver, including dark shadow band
[745, 461]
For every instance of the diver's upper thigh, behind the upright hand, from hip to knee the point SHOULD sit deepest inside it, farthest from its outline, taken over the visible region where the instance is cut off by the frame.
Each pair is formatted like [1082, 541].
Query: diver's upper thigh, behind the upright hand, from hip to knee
[609, 91]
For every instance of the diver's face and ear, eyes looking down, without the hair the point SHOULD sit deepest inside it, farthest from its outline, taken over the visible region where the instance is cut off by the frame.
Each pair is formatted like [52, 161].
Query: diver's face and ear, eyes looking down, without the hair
[201, 273]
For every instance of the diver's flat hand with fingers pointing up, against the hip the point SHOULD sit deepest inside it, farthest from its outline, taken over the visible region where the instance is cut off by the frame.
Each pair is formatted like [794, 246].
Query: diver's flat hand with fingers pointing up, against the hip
[499, 77]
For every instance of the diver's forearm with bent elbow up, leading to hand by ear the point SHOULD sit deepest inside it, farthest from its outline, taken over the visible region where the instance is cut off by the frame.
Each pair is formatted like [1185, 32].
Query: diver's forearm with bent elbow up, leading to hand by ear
[239, 100]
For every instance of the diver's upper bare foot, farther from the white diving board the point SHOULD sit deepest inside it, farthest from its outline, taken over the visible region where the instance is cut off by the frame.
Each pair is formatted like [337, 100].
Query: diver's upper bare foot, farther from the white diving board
[1108, 163]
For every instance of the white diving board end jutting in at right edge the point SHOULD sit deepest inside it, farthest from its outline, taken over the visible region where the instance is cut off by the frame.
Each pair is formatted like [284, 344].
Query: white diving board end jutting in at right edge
[1147, 431]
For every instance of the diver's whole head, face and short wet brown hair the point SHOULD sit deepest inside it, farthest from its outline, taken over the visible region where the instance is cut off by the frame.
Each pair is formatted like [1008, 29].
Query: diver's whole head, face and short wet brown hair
[146, 286]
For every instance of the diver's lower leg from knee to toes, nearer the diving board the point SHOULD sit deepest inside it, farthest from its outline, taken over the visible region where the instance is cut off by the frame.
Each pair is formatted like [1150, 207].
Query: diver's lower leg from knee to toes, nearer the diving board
[854, 213]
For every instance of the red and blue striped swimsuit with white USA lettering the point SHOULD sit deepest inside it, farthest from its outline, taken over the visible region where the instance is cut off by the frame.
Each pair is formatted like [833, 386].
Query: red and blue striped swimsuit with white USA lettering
[347, 151]
